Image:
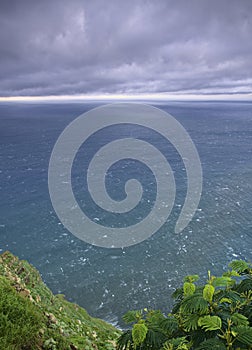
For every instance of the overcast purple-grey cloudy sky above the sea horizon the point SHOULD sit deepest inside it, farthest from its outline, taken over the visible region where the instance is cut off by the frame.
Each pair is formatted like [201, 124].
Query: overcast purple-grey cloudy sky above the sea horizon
[64, 47]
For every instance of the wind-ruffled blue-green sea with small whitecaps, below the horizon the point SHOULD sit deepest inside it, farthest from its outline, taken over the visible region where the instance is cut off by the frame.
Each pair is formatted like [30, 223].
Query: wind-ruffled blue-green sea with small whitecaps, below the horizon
[108, 282]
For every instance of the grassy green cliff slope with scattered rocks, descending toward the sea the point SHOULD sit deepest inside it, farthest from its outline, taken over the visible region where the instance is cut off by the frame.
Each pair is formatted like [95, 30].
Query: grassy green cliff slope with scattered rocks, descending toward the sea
[31, 317]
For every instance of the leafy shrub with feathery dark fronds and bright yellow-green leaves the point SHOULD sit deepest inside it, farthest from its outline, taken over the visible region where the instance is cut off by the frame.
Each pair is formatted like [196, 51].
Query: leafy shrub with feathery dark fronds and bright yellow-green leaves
[217, 315]
